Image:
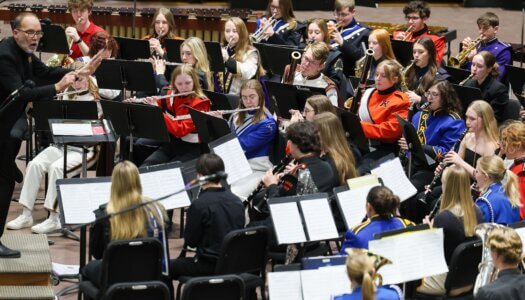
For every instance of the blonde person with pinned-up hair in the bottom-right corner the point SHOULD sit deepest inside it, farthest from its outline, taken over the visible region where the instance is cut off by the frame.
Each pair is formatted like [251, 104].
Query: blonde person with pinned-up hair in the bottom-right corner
[506, 250]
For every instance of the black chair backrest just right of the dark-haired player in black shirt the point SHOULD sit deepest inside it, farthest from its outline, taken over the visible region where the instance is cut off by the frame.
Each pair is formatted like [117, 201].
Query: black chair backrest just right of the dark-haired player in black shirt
[243, 251]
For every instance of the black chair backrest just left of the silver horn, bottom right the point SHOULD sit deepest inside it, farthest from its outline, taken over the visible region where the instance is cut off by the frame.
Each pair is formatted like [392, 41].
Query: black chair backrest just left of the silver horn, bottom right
[463, 267]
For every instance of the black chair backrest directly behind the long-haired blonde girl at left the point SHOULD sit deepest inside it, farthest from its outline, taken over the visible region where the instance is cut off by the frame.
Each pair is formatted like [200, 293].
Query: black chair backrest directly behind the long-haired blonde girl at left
[132, 261]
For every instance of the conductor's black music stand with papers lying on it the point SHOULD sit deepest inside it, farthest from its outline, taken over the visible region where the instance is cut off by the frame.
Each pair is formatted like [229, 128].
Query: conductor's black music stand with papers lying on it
[108, 136]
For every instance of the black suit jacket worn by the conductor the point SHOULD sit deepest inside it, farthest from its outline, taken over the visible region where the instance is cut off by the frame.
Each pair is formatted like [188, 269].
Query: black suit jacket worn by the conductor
[16, 67]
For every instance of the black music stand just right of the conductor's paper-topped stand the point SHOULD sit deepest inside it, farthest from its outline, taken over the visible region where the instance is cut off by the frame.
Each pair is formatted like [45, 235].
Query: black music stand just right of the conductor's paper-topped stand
[135, 121]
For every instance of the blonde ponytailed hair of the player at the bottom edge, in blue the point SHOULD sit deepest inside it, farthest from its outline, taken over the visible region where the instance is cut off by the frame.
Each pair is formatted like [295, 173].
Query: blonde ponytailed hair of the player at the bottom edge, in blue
[360, 268]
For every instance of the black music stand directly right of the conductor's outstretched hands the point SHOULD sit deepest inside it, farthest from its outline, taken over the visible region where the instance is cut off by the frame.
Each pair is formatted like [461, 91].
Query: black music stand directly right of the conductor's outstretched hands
[126, 75]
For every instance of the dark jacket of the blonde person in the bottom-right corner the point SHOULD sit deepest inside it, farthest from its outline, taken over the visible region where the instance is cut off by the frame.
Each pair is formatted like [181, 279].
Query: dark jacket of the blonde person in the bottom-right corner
[509, 285]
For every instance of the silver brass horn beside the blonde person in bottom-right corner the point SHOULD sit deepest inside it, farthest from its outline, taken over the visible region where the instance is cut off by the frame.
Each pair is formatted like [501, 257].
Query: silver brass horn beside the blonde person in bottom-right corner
[487, 272]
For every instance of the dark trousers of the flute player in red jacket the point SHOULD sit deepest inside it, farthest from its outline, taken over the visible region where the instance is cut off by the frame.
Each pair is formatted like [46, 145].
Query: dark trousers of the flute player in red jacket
[176, 150]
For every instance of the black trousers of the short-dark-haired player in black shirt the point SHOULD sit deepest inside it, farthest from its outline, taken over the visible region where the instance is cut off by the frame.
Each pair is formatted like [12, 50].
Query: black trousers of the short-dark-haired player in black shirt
[191, 266]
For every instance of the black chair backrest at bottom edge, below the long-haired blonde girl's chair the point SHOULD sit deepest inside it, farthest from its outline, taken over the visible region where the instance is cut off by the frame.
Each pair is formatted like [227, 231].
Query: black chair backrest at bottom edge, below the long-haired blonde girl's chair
[151, 290]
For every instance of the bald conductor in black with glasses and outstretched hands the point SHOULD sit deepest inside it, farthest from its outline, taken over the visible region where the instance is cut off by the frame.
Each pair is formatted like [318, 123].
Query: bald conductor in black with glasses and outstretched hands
[18, 64]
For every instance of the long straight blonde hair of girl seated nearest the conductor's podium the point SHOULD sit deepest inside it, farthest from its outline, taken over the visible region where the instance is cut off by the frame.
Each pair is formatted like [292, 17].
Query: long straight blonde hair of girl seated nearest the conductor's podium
[126, 191]
